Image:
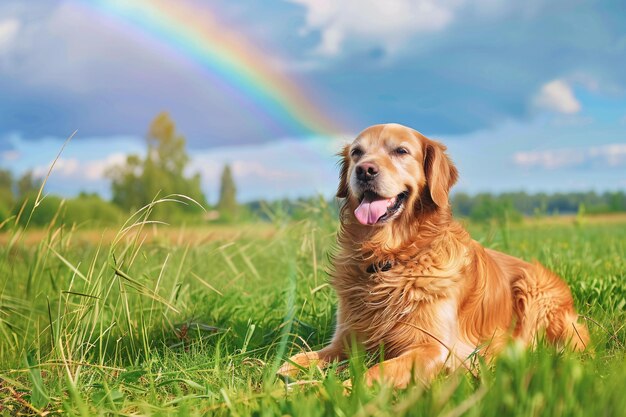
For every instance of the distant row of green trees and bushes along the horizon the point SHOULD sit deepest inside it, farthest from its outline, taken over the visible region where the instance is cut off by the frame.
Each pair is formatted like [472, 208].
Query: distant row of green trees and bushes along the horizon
[163, 174]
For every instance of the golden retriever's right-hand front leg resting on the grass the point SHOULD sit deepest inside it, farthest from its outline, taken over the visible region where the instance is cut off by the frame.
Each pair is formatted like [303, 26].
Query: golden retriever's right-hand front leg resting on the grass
[421, 363]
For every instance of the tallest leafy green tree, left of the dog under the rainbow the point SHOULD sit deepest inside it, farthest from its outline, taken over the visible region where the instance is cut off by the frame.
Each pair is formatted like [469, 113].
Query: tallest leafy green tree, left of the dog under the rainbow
[161, 173]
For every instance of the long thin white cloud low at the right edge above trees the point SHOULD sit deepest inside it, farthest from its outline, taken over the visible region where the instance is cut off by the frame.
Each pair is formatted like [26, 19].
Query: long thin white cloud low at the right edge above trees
[611, 155]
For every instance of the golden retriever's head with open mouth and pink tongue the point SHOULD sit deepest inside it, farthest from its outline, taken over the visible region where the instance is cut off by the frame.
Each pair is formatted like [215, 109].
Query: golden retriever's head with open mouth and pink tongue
[390, 170]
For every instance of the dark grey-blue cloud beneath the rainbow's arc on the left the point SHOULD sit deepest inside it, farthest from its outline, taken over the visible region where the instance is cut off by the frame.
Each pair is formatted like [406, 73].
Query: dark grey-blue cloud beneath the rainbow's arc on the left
[72, 70]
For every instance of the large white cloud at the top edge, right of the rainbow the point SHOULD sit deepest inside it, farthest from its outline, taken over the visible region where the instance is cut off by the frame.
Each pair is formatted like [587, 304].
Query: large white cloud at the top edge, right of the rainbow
[391, 23]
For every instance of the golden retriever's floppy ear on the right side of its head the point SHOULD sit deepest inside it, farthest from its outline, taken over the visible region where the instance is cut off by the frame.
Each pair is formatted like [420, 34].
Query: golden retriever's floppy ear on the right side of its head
[441, 174]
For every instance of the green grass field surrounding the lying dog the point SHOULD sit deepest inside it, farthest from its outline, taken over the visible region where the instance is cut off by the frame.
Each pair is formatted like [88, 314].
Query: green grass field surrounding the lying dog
[158, 320]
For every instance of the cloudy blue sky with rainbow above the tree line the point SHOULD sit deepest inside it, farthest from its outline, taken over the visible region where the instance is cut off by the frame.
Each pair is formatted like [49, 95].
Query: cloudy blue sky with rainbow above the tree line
[526, 95]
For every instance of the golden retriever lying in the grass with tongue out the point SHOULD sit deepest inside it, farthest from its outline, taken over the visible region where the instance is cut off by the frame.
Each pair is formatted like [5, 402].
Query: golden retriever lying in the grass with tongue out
[410, 278]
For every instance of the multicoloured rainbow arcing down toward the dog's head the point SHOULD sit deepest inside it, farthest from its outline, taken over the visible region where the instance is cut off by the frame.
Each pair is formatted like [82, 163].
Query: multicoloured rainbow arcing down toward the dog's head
[197, 34]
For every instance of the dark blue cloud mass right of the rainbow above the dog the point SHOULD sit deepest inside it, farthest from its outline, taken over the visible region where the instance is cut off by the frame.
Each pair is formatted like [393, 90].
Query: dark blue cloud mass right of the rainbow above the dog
[482, 71]
